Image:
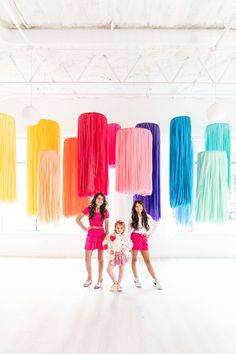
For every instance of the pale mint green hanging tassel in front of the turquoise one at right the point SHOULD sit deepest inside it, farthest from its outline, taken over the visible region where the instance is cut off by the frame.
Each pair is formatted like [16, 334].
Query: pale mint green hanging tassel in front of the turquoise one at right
[212, 196]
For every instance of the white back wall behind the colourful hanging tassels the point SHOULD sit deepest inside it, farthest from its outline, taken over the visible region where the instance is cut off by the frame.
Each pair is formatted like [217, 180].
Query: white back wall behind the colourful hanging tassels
[203, 241]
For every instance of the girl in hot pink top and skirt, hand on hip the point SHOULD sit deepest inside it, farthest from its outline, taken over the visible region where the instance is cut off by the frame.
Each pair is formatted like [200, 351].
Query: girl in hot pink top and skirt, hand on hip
[98, 216]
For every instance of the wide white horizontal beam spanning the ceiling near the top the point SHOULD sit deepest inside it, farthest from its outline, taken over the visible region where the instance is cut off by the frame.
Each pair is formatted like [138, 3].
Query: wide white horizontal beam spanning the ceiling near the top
[127, 39]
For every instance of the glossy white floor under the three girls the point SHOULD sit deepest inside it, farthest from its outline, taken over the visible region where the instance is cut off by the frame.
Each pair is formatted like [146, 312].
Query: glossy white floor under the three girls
[45, 310]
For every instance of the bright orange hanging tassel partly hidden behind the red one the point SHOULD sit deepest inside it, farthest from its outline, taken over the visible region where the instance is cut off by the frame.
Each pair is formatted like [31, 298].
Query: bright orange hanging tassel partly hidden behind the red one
[72, 203]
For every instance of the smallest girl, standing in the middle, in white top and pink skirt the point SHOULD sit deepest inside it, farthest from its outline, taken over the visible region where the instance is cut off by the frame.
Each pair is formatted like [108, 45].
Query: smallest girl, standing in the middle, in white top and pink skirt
[118, 246]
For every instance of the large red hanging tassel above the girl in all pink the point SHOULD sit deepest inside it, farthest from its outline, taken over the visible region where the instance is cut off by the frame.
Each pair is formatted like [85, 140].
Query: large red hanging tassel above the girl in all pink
[93, 154]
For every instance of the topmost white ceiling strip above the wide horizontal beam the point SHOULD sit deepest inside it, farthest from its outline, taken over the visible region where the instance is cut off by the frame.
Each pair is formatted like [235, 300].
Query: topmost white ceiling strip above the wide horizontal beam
[124, 13]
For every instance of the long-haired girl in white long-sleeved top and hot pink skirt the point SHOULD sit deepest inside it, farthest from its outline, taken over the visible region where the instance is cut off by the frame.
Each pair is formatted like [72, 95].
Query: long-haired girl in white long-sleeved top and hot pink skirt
[141, 226]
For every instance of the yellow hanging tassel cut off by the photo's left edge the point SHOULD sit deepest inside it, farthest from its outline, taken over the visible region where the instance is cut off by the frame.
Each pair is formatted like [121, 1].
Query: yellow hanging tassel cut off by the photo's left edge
[7, 159]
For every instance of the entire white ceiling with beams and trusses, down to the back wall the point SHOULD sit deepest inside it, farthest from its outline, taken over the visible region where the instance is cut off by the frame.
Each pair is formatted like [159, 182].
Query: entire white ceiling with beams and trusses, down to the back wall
[132, 47]
